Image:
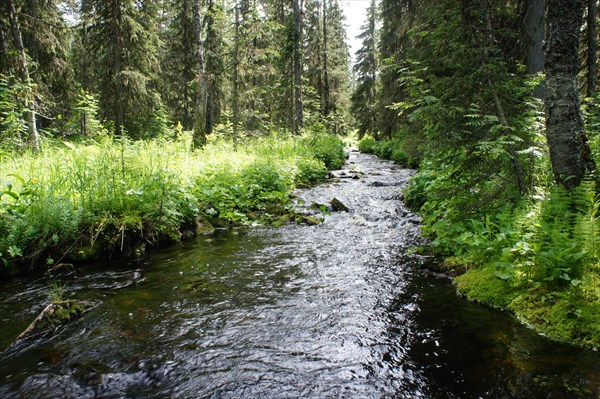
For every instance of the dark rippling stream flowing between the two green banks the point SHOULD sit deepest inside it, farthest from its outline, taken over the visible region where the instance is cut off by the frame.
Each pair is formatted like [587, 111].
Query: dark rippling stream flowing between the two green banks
[339, 310]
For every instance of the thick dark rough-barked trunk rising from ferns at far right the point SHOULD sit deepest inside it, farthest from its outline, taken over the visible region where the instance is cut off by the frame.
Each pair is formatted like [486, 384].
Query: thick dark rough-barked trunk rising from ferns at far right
[569, 150]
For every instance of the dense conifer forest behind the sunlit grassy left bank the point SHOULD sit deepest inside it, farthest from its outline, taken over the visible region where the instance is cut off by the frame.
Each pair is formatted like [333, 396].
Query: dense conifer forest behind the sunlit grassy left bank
[140, 67]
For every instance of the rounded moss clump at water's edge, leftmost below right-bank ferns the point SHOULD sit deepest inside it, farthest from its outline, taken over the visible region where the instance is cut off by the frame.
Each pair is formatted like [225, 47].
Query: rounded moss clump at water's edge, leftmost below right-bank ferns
[483, 286]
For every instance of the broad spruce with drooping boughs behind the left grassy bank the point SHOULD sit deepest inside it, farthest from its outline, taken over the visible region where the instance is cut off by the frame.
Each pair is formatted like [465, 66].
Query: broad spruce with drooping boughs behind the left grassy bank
[122, 36]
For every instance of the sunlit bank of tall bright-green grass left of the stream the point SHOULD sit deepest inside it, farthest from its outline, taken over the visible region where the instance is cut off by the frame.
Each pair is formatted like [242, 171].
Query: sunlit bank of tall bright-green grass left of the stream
[112, 197]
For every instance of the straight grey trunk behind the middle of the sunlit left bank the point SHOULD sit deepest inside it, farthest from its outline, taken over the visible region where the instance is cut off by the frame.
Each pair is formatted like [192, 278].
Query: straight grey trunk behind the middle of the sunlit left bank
[199, 137]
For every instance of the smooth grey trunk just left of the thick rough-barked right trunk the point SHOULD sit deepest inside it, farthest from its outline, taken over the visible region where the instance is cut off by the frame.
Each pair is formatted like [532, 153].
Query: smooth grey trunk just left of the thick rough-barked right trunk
[534, 22]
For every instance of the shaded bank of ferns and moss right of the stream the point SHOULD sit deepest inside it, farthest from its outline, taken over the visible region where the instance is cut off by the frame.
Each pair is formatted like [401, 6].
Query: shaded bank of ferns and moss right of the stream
[537, 258]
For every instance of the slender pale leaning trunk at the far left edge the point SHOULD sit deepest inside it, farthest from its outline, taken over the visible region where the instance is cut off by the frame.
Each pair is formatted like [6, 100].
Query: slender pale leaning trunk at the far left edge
[33, 140]
